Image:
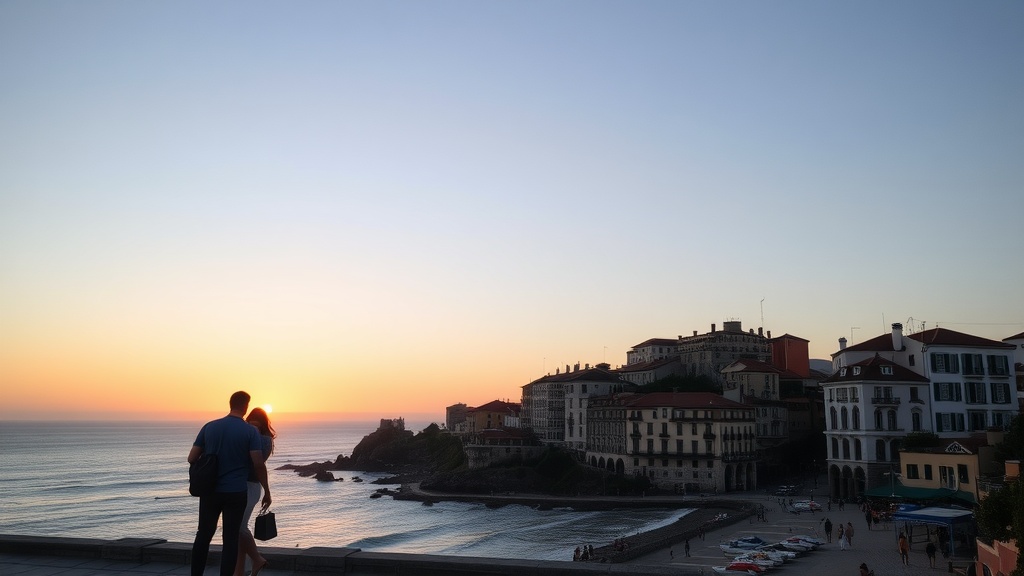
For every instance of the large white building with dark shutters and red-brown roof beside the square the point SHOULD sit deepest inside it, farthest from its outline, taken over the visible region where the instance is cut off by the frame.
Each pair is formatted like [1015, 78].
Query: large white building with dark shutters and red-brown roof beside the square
[937, 381]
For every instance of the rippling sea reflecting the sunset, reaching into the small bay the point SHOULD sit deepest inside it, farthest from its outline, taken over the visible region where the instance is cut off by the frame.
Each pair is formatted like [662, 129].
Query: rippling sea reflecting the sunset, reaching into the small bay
[131, 480]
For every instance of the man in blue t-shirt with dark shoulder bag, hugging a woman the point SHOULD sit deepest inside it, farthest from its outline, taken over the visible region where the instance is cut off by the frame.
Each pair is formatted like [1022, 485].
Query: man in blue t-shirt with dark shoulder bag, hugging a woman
[239, 448]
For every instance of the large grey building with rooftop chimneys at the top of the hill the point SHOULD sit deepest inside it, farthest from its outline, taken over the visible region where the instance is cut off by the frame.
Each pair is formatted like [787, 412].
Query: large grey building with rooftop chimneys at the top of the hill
[707, 355]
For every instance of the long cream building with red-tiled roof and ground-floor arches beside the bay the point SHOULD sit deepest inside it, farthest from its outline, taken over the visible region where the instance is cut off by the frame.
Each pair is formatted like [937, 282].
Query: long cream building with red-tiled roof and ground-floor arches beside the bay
[687, 442]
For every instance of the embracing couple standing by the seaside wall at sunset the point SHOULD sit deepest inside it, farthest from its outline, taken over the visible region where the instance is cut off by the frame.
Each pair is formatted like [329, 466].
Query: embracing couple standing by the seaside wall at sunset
[242, 443]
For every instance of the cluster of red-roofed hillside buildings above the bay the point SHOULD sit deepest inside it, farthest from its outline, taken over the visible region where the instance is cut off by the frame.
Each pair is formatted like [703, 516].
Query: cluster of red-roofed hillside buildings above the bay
[902, 417]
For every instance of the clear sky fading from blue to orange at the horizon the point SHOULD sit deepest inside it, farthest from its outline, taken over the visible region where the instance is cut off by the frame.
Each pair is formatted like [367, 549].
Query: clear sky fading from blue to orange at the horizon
[380, 210]
